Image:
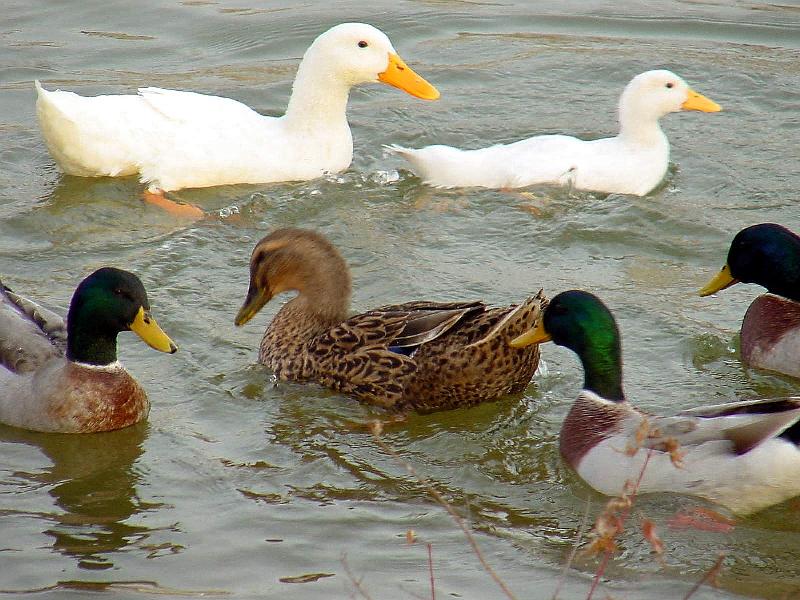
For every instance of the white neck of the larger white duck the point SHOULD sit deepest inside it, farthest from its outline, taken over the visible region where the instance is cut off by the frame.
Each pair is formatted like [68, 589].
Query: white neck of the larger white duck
[318, 96]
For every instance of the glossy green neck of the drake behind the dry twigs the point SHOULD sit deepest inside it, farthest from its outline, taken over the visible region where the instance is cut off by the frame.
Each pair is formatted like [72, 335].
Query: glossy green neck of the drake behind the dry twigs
[602, 365]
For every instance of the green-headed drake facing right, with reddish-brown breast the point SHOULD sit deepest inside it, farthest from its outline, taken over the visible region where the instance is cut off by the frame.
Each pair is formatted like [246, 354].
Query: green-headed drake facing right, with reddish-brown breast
[66, 378]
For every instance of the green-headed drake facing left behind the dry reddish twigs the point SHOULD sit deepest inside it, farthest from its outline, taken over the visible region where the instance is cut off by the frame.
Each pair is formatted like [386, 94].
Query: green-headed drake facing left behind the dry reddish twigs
[742, 455]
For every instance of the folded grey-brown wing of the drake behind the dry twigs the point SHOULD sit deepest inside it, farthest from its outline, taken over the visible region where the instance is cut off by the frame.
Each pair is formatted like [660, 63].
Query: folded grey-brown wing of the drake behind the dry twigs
[745, 424]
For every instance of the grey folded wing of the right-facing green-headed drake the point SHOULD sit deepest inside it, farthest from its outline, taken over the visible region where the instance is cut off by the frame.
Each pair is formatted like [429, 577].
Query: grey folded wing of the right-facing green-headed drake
[29, 333]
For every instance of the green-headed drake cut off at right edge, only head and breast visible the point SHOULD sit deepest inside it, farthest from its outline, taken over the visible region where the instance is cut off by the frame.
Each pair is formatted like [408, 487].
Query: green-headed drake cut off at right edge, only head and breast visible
[769, 255]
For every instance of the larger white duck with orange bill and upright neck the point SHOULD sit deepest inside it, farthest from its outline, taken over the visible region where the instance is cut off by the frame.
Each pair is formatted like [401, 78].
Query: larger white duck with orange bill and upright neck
[175, 139]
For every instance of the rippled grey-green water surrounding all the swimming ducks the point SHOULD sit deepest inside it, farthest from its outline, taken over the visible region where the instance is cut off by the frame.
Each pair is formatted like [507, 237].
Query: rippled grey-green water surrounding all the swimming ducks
[235, 482]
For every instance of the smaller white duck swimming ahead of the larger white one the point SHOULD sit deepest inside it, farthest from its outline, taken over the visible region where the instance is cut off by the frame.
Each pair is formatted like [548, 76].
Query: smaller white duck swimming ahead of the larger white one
[633, 162]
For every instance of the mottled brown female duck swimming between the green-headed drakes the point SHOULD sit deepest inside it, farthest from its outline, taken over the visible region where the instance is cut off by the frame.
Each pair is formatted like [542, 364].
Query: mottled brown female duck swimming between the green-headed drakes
[422, 355]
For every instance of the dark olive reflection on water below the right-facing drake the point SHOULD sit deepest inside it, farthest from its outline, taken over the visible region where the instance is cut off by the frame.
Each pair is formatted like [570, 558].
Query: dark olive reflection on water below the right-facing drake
[93, 480]
